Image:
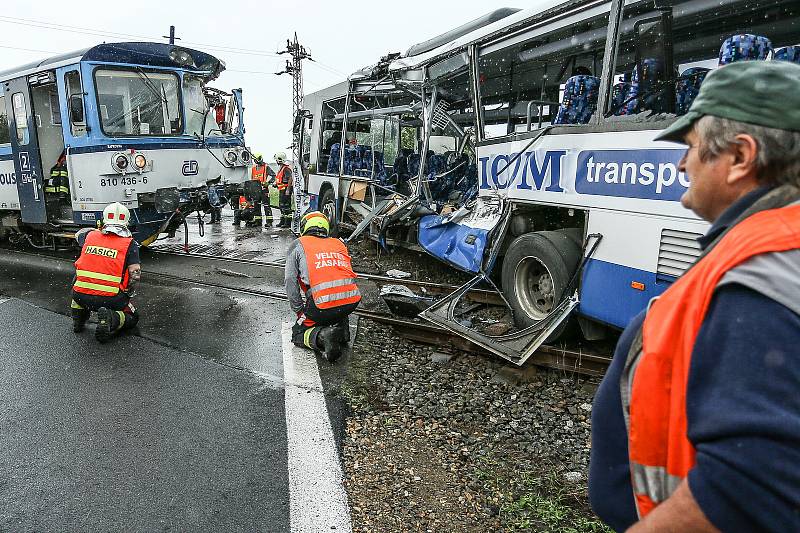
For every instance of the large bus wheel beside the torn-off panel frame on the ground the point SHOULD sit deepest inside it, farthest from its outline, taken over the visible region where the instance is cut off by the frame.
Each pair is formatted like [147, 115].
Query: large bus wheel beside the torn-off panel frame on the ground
[536, 270]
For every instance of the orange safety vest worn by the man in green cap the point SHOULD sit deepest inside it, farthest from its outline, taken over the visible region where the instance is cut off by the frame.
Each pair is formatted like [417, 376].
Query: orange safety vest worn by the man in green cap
[655, 381]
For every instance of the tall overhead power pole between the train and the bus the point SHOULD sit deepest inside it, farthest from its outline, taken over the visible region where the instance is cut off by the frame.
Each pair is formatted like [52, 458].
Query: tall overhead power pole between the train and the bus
[294, 67]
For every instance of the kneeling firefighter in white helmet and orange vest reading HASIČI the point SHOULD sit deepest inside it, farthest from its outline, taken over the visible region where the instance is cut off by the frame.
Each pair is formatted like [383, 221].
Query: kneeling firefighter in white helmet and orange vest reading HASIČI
[106, 274]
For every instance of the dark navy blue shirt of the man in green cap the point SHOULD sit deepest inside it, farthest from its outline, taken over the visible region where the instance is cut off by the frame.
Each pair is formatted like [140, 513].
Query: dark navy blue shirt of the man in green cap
[742, 407]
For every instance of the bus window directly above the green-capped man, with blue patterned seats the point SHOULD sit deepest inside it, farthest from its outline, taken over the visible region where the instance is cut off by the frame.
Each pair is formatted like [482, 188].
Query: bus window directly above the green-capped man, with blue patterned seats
[653, 80]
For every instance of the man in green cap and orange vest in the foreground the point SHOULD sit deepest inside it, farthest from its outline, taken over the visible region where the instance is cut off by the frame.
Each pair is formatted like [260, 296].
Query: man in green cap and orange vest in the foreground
[696, 426]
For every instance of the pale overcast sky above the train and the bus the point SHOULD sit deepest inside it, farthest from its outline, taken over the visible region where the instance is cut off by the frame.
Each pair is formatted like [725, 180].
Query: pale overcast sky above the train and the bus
[341, 36]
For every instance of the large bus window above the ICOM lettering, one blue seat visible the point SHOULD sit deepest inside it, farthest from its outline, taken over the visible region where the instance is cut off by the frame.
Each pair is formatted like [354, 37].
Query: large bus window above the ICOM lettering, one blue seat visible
[521, 80]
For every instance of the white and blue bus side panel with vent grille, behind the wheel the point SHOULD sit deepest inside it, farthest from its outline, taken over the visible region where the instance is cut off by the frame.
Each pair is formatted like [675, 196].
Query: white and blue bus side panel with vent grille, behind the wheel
[627, 268]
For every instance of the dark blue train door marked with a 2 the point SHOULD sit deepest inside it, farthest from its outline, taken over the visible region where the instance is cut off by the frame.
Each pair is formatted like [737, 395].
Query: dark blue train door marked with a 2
[25, 149]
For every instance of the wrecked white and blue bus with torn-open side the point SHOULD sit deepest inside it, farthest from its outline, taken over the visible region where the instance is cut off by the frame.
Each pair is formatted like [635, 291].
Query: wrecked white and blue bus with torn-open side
[540, 175]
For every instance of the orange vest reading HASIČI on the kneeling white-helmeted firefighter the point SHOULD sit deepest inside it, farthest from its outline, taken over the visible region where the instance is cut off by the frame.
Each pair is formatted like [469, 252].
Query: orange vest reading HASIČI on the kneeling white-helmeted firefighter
[100, 270]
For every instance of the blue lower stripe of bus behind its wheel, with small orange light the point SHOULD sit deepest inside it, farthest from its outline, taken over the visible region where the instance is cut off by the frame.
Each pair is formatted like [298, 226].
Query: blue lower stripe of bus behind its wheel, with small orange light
[606, 292]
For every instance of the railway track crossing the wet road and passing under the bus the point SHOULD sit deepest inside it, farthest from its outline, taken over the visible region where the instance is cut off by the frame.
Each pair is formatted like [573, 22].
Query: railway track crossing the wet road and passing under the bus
[570, 358]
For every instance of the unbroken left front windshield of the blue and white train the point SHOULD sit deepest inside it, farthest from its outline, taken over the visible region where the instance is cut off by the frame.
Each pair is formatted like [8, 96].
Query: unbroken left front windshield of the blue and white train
[138, 103]
